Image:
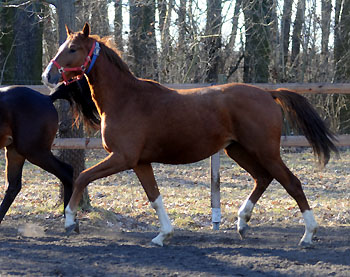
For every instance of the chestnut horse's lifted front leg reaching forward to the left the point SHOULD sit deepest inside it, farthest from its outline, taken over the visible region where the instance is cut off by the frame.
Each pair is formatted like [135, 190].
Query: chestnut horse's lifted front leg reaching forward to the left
[112, 164]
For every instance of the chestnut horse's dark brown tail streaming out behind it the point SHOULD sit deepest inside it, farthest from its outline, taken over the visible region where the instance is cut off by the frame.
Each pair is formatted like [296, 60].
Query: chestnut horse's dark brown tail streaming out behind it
[305, 118]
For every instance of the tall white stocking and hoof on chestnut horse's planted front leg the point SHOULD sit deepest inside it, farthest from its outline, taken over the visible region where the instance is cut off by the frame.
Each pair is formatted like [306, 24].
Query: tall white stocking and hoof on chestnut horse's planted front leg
[166, 229]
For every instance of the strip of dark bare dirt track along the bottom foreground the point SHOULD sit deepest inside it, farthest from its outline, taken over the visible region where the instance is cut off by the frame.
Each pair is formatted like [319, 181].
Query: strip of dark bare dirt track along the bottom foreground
[40, 249]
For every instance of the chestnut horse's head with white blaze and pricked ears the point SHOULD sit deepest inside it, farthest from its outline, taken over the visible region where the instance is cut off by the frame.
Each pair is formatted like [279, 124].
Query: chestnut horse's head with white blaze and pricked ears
[72, 58]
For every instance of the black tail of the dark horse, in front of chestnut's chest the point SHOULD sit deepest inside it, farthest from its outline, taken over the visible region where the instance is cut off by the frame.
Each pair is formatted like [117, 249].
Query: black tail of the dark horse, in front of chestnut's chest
[79, 97]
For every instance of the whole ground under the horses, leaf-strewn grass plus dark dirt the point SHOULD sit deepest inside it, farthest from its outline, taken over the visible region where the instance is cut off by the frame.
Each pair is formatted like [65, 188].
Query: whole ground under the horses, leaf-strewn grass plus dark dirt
[115, 236]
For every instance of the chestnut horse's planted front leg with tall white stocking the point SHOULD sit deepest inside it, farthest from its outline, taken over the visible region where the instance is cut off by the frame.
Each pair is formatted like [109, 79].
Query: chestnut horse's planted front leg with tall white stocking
[145, 174]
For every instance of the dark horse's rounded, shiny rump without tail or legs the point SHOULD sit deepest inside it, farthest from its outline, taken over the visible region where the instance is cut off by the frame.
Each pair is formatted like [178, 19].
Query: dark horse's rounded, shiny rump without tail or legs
[31, 116]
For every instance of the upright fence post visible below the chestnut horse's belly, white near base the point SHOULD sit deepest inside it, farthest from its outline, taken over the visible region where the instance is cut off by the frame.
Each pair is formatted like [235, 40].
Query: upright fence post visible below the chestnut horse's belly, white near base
[215, 190]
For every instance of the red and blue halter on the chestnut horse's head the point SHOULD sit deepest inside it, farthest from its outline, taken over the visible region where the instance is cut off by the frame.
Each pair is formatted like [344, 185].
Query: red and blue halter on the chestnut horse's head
[90, 58]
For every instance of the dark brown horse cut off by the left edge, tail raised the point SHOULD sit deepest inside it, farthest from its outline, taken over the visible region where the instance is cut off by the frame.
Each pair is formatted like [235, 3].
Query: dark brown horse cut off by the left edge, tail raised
[28, 126]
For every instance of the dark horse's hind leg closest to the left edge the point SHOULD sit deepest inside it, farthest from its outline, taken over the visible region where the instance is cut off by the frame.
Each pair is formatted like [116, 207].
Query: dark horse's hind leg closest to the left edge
[14, 166]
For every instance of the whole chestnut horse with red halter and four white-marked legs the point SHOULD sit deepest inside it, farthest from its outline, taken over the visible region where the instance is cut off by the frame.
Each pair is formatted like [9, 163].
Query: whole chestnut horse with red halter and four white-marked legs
[144, 122]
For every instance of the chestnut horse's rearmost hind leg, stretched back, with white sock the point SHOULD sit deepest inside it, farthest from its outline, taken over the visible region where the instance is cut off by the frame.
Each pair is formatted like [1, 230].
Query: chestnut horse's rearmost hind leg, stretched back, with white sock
[282, 174]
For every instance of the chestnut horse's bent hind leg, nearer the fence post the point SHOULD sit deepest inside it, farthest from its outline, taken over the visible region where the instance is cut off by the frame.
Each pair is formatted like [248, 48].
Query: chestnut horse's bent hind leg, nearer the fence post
[261, 177]
